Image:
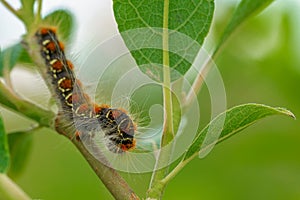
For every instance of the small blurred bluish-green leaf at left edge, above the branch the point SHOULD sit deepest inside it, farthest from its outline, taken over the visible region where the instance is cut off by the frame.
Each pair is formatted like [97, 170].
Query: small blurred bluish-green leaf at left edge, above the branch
[9, 58]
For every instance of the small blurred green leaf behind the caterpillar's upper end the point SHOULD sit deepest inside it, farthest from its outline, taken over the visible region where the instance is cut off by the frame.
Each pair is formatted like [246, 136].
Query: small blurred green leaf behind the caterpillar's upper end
[63, 20]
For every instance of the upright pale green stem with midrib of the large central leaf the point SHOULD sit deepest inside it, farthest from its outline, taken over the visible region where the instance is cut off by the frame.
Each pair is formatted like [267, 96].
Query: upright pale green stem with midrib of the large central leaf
[156, 189]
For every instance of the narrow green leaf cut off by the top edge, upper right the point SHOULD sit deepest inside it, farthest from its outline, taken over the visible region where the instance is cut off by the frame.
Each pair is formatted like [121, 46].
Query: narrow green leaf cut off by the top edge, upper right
[245, 9]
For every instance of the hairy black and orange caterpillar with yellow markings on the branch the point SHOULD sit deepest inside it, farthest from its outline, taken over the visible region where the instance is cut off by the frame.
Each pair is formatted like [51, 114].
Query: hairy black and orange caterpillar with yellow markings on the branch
[116, 124]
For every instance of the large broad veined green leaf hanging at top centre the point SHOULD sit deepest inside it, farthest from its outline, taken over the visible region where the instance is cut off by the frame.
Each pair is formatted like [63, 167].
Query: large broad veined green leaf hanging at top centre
[141, 24]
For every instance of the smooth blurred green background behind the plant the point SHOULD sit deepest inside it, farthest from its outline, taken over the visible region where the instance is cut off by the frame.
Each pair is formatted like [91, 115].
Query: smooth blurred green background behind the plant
[260, 64]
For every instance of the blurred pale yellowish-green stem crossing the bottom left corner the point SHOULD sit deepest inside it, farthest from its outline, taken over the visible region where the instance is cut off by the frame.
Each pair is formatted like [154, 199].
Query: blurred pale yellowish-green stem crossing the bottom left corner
[11, 191]
